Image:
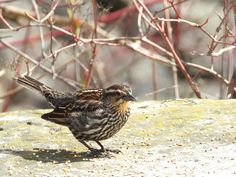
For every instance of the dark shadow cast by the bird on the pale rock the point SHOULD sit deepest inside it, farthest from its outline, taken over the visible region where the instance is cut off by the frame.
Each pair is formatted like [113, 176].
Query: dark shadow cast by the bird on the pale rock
[51, 155]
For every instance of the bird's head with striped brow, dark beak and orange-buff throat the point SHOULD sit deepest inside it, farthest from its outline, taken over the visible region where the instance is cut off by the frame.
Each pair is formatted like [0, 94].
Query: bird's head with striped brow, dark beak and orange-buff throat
[119, 96]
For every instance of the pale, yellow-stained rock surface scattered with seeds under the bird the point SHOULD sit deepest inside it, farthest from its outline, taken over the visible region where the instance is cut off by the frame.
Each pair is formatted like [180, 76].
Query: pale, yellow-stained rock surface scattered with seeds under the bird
[172, 138]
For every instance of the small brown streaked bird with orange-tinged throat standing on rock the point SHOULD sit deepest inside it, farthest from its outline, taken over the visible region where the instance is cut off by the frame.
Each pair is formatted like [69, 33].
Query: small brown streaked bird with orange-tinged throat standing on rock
[90, 114]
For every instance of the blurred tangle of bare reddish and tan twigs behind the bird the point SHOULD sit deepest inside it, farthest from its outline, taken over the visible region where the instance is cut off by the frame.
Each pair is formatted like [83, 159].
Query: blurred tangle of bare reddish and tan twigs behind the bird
[163, 49]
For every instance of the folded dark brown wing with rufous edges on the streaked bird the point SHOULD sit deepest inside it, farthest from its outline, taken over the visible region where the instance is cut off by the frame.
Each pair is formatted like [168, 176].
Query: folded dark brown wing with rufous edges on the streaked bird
[81, 115]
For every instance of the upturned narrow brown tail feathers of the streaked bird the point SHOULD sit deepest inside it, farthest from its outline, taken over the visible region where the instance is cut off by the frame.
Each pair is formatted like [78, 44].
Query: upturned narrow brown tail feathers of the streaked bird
[30, 83]
